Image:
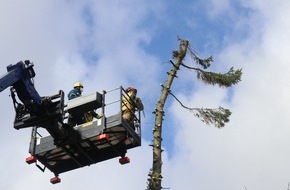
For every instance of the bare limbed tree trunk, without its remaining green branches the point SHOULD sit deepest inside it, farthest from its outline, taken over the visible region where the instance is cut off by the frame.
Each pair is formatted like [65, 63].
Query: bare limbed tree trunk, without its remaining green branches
[154, 182]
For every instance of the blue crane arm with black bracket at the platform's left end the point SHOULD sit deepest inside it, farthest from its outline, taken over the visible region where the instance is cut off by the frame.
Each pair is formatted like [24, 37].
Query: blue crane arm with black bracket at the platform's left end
[33, 110]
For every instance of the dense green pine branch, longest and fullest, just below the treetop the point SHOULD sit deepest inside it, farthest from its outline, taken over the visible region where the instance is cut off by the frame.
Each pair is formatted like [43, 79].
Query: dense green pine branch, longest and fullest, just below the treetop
[228, 79]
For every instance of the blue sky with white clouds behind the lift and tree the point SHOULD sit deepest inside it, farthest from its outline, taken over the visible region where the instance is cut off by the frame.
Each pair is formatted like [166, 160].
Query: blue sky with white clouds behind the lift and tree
[107, 44]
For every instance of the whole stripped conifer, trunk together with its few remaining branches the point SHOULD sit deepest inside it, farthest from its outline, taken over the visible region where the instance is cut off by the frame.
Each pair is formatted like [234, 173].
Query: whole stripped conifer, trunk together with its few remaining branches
[218, 116]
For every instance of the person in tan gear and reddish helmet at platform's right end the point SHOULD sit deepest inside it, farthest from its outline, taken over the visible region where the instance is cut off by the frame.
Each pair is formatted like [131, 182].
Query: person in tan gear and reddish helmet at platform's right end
[130, 103]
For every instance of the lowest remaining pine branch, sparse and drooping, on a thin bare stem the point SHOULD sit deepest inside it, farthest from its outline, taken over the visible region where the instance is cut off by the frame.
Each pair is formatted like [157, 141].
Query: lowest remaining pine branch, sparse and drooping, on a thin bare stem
[218, 116]
